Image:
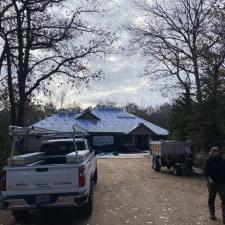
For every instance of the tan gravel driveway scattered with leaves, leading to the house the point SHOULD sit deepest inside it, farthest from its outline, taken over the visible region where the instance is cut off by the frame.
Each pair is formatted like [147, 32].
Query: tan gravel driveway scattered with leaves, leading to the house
[130, 192]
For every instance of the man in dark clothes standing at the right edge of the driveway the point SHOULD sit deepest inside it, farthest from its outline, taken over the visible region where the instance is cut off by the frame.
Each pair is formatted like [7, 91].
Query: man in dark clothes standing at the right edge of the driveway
[214, 170]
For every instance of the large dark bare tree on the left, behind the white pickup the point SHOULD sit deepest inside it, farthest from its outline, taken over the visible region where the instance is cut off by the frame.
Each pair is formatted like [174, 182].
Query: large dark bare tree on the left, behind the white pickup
[43, 41]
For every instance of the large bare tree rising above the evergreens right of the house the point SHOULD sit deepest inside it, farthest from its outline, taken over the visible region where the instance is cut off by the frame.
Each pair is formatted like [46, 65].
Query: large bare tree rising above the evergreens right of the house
[173, 34]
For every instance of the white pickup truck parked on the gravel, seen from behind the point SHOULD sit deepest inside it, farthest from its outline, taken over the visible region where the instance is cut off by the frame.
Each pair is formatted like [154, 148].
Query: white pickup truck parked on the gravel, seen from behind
[60, 175]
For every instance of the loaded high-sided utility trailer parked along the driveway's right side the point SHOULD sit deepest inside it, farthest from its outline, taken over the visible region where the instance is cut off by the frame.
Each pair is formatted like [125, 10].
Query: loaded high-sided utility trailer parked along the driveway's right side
[175, 155]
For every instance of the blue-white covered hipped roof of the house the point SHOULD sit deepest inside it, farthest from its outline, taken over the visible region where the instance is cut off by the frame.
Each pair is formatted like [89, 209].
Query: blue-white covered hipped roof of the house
[110, 120]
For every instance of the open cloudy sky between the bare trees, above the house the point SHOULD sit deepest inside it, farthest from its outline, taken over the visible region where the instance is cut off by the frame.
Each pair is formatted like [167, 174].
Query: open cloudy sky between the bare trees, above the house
[122, 82]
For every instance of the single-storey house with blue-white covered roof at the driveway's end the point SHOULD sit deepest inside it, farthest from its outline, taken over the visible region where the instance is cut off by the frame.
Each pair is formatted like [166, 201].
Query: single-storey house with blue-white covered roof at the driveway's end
[109, 128]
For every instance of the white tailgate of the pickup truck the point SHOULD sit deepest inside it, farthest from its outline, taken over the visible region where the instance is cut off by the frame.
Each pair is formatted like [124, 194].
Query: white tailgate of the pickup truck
[42, 180]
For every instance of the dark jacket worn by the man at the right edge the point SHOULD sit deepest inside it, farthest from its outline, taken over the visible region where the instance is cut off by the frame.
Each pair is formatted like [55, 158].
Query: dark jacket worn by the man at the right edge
[215, 168]
